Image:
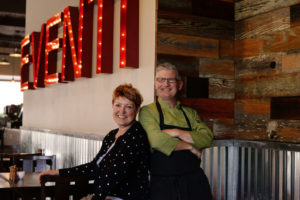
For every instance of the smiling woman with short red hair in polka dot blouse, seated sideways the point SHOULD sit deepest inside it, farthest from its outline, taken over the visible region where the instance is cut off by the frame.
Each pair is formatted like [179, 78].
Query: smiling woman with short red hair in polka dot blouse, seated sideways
[120, 169]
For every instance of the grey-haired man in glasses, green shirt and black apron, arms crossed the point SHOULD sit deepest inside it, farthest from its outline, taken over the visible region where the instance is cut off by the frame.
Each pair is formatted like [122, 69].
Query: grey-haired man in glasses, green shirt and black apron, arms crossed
[177, 136]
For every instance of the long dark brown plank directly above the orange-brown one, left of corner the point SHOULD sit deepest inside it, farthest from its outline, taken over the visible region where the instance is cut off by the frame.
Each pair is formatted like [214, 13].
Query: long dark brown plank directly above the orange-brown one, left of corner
[171, 22]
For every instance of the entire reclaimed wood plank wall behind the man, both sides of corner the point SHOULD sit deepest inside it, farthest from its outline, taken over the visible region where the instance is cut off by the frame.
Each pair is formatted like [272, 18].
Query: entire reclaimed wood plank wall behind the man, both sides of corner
[250, 54]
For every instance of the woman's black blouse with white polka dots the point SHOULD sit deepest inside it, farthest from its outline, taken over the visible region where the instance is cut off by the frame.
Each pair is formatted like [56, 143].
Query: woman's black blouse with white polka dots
[123, 172]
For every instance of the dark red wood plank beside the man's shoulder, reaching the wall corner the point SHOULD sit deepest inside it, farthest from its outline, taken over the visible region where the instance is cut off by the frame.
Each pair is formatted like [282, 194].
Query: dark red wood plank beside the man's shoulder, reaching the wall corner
[211, 108]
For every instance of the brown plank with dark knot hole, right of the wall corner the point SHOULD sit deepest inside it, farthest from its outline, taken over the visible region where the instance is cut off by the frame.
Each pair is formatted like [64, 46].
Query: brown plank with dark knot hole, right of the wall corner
[265, 64]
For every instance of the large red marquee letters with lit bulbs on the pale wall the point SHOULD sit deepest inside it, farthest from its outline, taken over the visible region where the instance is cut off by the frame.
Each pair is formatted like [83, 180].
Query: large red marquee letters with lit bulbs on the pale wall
[76, 44]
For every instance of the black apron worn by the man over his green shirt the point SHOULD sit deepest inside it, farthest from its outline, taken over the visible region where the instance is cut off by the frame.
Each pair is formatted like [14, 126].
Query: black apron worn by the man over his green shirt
[178, 176]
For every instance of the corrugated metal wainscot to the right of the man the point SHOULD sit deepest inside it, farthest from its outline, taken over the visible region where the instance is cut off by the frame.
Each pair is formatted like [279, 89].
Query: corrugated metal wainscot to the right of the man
[253, 170]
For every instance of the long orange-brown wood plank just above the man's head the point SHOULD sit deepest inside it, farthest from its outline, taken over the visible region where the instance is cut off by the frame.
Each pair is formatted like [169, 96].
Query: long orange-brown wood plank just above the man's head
[187, 45]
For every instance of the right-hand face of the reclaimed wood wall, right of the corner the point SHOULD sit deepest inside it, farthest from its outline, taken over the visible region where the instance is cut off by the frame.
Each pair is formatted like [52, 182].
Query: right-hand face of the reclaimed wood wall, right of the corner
[267, 52]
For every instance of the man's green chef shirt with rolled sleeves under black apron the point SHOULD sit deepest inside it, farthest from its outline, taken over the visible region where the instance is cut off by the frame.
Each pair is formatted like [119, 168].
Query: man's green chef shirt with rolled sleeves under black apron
[161, 141]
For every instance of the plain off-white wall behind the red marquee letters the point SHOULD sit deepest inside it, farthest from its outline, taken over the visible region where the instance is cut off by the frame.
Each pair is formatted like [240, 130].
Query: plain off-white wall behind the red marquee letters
[84, 106]
